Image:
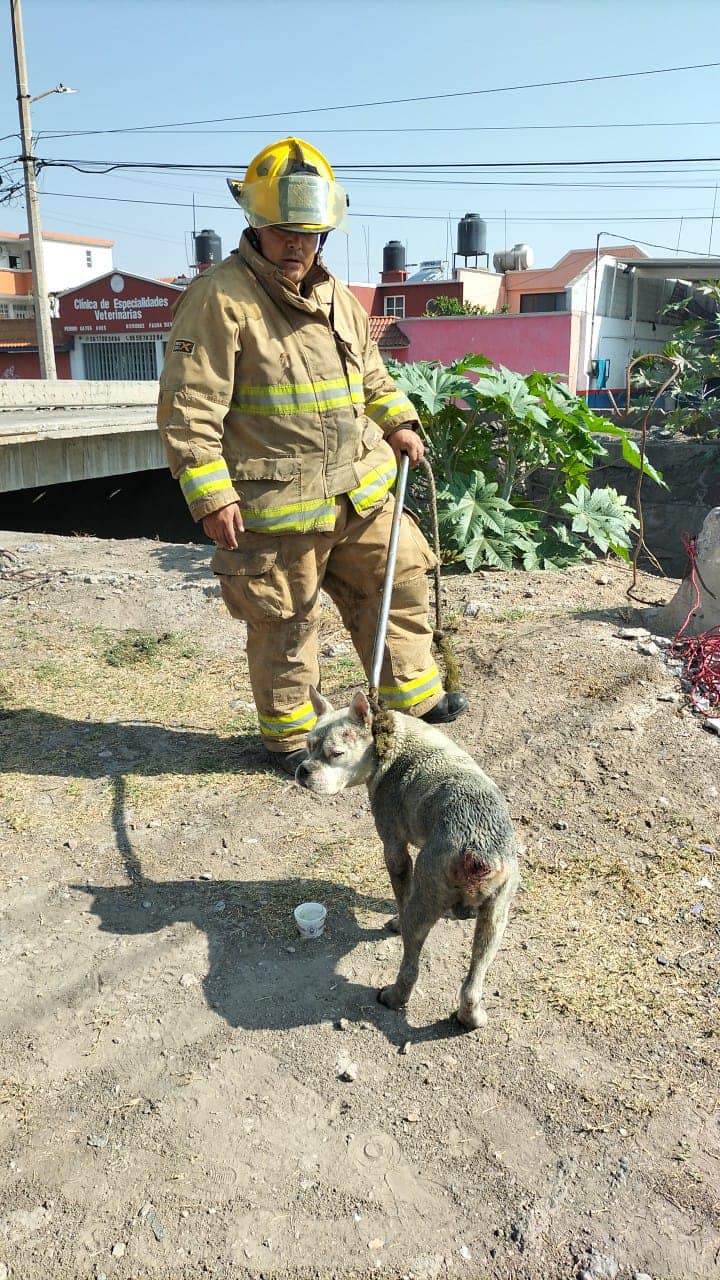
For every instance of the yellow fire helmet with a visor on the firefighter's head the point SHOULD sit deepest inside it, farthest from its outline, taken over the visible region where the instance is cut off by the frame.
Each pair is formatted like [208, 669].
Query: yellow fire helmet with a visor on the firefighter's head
[290, 184]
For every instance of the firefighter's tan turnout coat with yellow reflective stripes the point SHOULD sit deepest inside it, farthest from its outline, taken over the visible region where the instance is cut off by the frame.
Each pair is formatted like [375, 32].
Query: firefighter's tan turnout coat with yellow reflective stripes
[275, 400]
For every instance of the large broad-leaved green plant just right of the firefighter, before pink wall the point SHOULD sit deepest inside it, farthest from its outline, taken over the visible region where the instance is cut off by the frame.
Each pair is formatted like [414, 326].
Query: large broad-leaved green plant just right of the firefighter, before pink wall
[490, 433]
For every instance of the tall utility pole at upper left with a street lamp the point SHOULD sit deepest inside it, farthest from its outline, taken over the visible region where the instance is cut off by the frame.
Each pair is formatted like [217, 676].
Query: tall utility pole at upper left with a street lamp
[44, 328]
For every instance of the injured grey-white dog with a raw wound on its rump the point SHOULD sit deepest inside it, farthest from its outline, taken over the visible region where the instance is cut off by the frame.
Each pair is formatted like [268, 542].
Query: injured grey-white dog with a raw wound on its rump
[426, 792]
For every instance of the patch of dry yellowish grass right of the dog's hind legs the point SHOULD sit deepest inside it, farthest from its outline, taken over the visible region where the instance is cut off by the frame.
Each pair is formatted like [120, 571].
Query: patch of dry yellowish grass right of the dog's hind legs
[618, 947]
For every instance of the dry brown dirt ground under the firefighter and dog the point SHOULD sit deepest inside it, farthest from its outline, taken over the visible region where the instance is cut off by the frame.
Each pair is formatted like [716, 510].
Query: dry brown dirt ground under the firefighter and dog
[175, 1096]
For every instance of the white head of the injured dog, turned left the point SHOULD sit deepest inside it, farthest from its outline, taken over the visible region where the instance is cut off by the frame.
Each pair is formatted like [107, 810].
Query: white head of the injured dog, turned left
[343, 751]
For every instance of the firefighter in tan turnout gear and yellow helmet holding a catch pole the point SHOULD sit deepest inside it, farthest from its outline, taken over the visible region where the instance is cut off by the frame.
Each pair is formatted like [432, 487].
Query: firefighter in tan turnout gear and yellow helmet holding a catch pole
[284, 428]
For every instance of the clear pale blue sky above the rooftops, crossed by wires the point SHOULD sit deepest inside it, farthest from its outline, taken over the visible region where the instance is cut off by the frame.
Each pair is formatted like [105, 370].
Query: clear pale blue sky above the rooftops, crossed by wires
[623, 154]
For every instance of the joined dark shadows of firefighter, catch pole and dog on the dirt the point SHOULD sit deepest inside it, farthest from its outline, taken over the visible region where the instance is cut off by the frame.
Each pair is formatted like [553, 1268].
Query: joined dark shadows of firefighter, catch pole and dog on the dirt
[253, 980]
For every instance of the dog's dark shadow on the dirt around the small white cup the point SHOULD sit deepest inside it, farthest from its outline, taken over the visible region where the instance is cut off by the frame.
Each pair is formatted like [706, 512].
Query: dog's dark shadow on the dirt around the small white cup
[254, 981]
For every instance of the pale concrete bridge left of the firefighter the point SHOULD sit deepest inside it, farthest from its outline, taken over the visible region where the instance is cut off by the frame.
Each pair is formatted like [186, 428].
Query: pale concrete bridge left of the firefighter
[58, 432]
